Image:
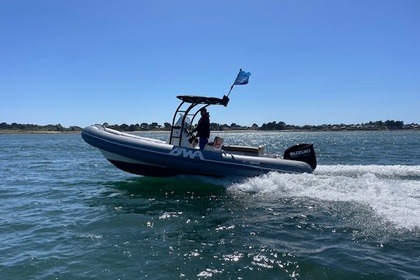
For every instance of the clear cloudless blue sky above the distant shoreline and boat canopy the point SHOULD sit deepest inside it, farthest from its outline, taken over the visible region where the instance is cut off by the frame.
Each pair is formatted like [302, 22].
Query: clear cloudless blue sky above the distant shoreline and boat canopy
[312, 62]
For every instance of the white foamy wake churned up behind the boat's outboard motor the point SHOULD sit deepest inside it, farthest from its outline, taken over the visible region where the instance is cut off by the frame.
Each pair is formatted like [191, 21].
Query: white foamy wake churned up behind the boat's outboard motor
[392, 192]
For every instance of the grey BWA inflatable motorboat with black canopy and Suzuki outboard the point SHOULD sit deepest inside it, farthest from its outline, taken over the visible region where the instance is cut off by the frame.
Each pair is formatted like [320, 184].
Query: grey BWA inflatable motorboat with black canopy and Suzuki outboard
[180, 154]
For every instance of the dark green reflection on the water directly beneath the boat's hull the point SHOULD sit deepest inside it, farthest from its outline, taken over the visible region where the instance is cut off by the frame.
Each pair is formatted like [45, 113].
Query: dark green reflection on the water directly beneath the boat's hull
[148, 195]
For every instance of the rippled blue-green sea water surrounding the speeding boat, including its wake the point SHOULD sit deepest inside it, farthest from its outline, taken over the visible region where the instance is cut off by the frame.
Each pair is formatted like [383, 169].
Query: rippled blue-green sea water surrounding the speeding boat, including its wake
[66, 213]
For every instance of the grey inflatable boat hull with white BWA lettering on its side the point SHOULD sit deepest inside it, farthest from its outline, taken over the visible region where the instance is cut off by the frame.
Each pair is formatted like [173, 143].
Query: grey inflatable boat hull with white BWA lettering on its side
[150, 157]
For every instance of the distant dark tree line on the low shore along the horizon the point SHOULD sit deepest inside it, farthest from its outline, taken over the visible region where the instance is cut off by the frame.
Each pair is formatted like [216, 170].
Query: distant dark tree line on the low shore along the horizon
[154, 126]
